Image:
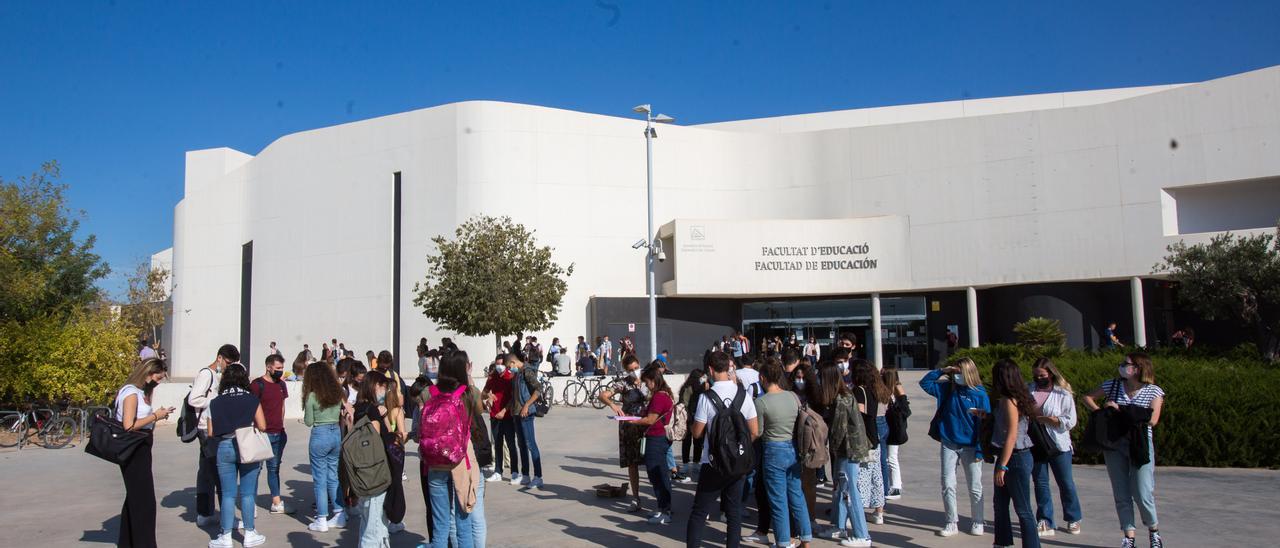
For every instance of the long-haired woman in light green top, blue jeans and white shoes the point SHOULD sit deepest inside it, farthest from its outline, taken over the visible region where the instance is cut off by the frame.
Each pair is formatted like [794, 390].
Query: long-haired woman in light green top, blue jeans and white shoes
[322, 408]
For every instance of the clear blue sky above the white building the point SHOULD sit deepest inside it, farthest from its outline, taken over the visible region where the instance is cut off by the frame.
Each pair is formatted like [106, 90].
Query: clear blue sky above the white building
[118, 92]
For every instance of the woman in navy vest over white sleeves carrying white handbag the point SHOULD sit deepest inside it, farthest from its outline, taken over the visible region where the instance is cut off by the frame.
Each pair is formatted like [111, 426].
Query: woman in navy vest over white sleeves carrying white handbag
[234, 409]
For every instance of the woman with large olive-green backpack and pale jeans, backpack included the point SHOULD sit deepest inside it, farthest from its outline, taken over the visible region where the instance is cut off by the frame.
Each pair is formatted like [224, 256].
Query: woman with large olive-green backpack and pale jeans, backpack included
[372, 483]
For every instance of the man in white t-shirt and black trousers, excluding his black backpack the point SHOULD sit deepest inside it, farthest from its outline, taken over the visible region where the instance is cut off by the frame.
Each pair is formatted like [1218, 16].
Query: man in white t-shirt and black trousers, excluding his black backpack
[712, 486]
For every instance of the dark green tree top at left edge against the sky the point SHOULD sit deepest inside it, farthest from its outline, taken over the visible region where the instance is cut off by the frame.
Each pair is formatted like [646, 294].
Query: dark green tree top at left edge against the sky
[43, 268]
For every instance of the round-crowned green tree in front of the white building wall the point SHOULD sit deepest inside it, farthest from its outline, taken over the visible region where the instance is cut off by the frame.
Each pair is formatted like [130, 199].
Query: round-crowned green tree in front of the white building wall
[492, 277]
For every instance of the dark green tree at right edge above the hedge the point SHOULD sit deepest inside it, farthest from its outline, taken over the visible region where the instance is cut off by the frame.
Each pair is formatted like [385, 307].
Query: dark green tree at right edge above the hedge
[1232, 278]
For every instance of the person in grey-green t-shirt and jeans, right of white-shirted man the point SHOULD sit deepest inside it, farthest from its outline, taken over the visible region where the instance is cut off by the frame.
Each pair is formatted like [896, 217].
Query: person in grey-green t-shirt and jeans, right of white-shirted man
[779, 412]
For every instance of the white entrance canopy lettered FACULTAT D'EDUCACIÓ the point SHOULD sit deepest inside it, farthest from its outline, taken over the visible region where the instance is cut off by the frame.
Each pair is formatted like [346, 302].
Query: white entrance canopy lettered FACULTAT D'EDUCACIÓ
[785, 258]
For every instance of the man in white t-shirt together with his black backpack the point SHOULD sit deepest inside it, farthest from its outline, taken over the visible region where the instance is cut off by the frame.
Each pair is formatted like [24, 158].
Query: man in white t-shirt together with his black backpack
[726, 418]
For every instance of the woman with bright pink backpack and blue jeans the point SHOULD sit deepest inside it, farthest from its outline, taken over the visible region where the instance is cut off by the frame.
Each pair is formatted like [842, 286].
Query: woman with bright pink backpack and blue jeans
[454, 513]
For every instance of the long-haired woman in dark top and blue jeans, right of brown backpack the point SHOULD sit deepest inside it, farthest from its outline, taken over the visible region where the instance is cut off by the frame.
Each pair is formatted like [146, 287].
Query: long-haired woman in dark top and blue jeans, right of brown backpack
[849, 450]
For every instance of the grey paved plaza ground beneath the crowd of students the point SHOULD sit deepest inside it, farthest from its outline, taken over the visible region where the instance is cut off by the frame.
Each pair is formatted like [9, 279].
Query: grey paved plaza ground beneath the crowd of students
[62, 499]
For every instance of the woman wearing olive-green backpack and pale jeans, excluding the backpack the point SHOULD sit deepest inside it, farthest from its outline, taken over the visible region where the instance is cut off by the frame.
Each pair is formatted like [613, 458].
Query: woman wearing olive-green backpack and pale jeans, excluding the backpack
[372, 404]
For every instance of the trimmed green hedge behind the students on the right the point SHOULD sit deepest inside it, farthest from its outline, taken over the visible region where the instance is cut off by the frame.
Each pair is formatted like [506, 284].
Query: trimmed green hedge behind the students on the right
[1220, 408]
